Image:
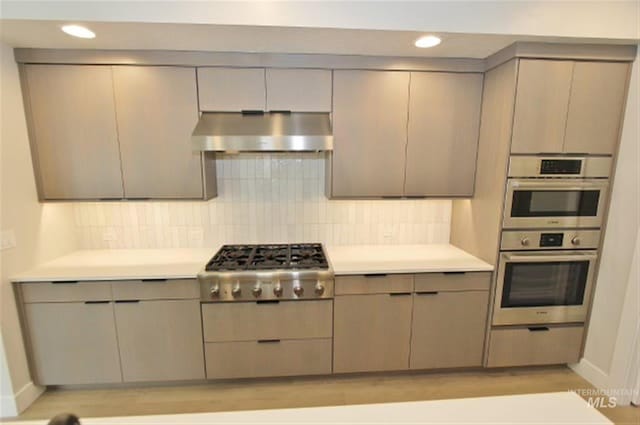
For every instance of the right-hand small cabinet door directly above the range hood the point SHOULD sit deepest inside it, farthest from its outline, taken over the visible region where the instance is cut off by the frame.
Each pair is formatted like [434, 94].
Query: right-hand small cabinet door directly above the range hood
[301, 90]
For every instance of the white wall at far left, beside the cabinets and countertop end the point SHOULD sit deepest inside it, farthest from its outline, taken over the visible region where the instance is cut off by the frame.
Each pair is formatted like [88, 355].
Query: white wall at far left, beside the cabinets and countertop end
[42, 231]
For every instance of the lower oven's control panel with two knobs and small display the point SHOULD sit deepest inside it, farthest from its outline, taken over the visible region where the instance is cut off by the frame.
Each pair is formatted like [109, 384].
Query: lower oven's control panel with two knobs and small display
[518, 240]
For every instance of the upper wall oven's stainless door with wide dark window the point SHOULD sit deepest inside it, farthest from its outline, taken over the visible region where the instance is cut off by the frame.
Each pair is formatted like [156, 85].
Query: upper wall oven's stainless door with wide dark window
[535, 203]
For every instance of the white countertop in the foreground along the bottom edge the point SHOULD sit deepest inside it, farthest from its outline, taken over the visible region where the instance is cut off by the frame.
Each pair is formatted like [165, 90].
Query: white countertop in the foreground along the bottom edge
[549, 408]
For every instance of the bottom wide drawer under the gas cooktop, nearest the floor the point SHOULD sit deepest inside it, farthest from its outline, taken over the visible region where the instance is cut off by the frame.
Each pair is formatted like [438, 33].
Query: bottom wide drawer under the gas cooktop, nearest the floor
[251, 359]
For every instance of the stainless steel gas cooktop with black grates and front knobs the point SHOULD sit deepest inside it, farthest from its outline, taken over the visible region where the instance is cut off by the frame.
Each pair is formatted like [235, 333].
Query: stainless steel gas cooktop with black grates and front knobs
[267, 273]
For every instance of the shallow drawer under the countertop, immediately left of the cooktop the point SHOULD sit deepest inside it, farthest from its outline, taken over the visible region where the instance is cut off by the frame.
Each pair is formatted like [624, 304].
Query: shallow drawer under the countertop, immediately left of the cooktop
[155, 289]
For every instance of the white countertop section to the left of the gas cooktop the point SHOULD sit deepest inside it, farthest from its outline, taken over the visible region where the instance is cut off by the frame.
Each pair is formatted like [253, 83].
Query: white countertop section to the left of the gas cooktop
[102, 264]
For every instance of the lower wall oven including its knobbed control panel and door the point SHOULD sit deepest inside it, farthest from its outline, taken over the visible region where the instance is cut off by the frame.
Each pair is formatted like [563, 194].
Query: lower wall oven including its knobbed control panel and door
[545, 276]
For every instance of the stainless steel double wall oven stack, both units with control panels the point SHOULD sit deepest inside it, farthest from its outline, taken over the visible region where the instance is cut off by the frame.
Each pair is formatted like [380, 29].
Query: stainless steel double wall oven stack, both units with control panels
[553, 212]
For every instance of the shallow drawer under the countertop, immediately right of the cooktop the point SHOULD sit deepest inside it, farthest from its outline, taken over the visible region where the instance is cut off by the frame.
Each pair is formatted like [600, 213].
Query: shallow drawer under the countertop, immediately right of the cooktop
[373, 284]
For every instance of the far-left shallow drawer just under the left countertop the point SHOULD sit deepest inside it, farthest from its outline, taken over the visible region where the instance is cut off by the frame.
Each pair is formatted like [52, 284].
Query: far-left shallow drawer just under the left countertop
[69, 291]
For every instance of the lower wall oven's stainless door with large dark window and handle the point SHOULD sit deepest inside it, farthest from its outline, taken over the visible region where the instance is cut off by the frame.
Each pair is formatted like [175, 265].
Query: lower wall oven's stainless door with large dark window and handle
[543, 287]
